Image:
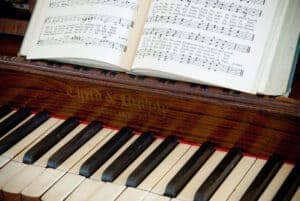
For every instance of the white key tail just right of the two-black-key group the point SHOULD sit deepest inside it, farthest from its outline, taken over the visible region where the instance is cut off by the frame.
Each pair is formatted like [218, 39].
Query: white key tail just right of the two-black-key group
[84, 149]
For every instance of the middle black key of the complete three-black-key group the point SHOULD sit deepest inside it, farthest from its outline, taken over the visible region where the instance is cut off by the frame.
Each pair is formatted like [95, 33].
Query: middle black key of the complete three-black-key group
[127, 157]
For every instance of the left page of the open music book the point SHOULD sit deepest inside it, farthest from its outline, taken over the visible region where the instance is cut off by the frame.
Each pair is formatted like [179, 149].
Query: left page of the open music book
[95, 30]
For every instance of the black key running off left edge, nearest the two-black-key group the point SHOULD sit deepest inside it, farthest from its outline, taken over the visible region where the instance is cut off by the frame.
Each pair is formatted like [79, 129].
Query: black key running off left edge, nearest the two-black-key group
[21, 132]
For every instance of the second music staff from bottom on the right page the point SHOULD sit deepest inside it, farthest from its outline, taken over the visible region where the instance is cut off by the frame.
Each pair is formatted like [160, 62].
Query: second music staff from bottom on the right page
[161, 33]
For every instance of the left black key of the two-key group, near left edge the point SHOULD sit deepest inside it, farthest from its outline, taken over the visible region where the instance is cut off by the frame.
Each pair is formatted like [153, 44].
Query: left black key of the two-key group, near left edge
[35, 152]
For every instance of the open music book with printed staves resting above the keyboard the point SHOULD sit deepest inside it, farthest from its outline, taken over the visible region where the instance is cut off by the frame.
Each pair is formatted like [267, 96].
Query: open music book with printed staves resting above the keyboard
[246, 45]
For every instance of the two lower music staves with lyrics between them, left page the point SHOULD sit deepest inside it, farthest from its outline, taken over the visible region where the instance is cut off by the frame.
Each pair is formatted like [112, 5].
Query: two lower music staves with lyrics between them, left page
[91, 30]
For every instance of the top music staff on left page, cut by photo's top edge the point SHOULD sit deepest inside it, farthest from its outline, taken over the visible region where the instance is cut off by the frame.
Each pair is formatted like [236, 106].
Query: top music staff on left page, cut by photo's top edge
[71, 3]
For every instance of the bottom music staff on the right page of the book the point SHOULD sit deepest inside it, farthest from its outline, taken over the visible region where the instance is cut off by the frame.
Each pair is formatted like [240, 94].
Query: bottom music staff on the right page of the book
[208, 64]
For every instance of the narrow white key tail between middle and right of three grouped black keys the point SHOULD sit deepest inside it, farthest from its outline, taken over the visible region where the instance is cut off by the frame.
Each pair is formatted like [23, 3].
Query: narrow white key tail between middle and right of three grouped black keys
[121, 180]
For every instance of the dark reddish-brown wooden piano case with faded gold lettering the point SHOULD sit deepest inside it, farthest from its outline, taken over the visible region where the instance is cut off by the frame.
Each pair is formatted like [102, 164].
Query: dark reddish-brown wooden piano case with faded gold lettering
[259, 124]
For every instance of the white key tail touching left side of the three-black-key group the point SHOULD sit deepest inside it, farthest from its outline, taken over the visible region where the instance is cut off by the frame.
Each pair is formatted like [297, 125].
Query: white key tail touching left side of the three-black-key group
[75, 169]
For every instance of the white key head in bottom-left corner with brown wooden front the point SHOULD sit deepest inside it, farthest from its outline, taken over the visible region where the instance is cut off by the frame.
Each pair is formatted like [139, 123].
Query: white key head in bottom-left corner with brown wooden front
[12, 190]
